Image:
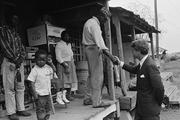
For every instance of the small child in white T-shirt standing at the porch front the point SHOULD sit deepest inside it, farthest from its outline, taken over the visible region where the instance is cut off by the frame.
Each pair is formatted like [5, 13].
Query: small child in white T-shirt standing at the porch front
[40, 78]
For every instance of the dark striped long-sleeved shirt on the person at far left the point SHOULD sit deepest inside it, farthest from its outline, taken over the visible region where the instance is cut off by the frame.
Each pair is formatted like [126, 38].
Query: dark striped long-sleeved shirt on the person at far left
[10, 44]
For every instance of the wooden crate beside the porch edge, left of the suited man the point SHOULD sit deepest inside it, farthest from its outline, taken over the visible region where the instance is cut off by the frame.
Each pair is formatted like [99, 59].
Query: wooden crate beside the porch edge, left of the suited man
[128, 102]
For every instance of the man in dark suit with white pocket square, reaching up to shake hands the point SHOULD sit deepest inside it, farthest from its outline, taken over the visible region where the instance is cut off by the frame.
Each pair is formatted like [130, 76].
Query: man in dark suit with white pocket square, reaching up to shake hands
[150, 90]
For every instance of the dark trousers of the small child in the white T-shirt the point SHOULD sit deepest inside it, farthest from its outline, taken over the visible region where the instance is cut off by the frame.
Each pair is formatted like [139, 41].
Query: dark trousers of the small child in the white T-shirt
[43, 107]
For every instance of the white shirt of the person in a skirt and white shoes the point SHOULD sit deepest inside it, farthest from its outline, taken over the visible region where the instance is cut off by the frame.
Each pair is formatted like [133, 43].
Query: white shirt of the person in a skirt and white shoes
[63, 52]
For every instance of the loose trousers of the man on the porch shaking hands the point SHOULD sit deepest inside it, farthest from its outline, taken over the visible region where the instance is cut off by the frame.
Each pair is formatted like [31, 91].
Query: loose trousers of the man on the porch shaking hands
[95, 79]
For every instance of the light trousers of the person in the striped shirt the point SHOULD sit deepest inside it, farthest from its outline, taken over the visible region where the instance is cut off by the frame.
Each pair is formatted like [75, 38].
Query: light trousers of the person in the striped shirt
[14, 91]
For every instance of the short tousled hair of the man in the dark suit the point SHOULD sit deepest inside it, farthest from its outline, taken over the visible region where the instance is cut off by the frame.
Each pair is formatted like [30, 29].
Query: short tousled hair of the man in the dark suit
[141, 46]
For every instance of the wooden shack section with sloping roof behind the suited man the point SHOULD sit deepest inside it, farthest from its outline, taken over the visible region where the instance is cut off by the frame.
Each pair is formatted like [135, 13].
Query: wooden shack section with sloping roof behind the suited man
[125, 27]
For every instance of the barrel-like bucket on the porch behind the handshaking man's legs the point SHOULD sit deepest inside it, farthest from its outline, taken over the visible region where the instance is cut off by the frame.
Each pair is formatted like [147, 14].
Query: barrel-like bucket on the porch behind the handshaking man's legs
[82, 75]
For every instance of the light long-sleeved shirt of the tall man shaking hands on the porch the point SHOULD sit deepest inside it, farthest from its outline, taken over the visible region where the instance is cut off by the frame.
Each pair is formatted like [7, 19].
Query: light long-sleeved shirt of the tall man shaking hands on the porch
[92, 34]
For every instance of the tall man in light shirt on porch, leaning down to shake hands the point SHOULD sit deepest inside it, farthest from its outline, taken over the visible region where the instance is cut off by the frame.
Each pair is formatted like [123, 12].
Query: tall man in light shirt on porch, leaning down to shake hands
[94, 48]
